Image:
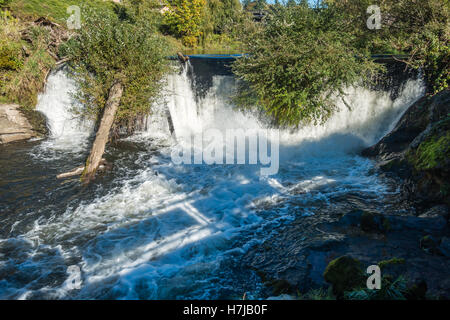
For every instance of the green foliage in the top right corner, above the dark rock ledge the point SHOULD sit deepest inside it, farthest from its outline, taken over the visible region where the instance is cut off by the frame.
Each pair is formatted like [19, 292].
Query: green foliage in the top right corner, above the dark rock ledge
[418, 28]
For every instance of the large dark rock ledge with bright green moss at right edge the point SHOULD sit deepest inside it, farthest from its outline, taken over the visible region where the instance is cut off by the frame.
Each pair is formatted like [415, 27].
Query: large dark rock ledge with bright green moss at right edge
[417, 152]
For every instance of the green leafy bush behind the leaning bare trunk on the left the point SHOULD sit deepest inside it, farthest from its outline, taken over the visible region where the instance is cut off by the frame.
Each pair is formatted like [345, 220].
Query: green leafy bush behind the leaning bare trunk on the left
[123, 47]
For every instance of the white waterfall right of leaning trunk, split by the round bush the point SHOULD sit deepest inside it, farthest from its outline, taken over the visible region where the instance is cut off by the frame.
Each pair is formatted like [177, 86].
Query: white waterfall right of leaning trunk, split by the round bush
[372, 114]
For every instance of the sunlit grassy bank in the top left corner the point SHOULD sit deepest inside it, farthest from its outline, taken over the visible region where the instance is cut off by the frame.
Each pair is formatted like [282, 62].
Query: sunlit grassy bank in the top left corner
[26, 60]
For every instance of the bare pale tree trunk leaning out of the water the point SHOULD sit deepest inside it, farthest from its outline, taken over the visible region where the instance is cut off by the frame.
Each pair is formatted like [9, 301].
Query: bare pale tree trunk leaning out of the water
[101, 138]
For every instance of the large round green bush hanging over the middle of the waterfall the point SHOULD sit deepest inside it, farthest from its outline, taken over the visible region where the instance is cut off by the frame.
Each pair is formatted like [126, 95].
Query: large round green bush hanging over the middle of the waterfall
[297, 61]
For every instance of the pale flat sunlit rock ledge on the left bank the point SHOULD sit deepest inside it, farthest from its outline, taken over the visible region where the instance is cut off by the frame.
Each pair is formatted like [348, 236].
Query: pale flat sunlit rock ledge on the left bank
[17, 124]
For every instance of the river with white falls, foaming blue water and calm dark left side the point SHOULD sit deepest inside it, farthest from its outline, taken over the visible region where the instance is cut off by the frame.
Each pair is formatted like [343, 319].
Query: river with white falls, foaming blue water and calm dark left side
[152, 229]
